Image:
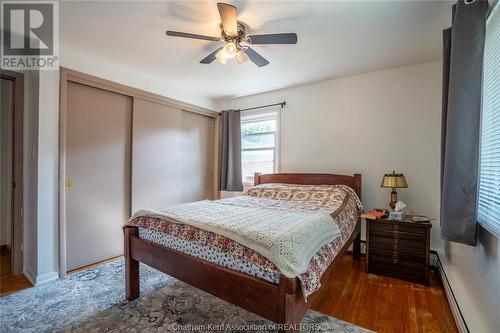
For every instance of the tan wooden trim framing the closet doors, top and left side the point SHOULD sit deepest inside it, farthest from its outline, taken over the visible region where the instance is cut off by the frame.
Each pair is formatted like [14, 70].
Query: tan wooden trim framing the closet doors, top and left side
[69, 75]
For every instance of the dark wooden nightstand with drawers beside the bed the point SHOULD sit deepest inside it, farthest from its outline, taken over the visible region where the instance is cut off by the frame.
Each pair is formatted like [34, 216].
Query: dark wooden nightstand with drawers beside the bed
[398, 249]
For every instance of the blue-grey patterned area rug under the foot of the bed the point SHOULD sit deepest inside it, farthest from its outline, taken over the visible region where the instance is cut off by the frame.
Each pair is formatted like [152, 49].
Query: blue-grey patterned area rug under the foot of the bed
[93, 301]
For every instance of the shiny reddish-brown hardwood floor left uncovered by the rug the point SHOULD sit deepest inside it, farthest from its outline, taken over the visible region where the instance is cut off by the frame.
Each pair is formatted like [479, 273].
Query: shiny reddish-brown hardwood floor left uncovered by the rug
[375, 302]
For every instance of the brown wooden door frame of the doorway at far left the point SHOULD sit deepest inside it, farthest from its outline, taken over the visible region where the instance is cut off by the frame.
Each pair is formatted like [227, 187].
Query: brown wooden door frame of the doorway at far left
[16, 236]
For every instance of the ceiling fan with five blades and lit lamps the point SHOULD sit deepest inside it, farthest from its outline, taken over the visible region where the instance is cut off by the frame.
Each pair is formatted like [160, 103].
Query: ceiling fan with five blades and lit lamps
[236, 41]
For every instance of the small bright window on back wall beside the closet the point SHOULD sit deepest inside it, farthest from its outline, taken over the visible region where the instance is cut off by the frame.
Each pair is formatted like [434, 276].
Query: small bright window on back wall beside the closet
[259, 138]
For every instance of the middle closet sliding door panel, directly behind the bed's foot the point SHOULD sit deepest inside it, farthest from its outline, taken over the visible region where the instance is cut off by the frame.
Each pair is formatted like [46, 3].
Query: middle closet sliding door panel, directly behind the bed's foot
[155, 155]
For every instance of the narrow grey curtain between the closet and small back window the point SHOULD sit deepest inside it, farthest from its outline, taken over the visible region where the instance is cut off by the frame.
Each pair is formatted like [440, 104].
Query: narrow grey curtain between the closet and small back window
[230, 151]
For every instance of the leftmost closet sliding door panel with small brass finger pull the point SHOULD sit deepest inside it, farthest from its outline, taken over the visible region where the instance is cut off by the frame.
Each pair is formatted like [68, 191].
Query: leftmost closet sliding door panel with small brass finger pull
[98, 145]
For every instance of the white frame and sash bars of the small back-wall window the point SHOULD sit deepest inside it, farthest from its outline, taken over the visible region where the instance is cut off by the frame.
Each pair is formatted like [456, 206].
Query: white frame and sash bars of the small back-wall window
[259, 116]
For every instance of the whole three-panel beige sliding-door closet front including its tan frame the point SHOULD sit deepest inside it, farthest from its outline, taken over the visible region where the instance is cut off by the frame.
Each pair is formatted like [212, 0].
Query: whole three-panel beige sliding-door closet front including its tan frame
[122, 150]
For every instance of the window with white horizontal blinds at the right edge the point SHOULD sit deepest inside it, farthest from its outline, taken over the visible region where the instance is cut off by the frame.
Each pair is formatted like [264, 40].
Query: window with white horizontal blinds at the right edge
[489, 168]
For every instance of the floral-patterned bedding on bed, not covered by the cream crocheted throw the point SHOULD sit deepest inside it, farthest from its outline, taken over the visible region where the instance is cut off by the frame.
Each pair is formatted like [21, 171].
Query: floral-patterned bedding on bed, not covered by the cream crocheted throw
[340, 201]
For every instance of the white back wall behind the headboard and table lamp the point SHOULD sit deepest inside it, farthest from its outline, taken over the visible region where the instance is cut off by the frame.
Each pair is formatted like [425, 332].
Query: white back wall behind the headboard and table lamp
[370, 124]
